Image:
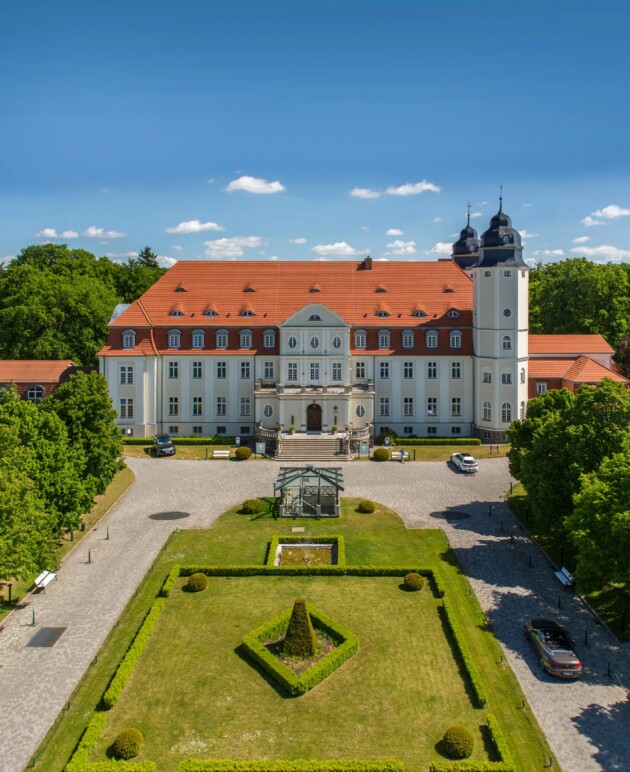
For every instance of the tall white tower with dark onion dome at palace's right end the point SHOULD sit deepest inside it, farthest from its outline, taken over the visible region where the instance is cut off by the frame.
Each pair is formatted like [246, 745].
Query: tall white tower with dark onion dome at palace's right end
[500, 330]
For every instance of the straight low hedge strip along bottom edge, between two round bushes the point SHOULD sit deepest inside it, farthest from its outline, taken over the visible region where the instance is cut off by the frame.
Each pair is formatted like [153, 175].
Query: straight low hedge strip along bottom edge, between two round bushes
[296, 765]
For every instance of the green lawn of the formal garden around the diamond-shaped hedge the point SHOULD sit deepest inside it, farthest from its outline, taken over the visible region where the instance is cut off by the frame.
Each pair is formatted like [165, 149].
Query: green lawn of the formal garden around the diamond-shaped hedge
[192, 691]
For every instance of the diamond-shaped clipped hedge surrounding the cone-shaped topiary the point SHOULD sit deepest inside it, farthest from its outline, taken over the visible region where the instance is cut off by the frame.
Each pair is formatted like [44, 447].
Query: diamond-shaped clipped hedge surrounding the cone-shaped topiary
[293, 683]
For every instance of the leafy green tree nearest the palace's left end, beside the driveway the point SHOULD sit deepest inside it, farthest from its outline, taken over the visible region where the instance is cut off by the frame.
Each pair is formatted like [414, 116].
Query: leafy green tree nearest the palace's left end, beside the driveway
[84, 405]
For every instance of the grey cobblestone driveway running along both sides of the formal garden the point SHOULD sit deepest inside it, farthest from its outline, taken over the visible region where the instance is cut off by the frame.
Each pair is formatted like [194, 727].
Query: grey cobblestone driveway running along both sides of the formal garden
[585, 722]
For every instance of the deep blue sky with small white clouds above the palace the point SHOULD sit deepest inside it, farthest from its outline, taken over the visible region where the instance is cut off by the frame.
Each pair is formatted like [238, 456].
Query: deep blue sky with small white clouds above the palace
[245, 127]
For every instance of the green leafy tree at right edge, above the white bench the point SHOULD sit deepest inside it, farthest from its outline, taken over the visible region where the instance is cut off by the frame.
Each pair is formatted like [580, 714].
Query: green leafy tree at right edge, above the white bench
[600, 524]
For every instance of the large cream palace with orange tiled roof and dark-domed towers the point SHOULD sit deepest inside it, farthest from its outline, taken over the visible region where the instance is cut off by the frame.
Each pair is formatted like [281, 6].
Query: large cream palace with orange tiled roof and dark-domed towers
[424, 348]
